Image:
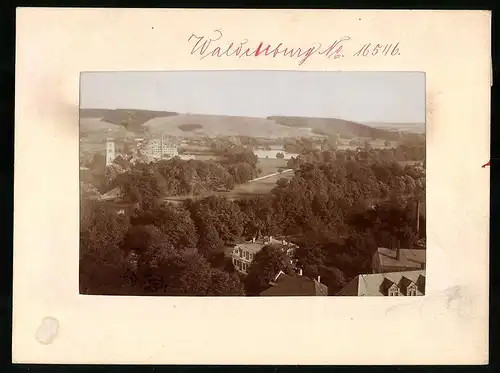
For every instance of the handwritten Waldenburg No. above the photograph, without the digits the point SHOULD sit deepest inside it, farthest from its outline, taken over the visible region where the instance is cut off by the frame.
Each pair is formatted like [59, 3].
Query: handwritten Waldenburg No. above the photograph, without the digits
[214, 46]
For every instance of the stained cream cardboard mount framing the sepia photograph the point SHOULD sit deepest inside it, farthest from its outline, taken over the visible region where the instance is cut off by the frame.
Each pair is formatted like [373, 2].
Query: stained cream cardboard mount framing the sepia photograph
[53, 323]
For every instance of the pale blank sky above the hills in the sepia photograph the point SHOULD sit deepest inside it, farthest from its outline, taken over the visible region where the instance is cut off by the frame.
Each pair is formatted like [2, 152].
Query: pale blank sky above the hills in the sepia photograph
[376, 97]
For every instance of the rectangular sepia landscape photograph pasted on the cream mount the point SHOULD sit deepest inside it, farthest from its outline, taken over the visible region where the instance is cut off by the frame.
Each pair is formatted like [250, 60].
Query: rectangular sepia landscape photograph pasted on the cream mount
[252, 183]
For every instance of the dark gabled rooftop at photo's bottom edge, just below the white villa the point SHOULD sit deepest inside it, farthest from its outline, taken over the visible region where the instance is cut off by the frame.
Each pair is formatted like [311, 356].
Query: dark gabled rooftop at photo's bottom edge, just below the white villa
[287, 285]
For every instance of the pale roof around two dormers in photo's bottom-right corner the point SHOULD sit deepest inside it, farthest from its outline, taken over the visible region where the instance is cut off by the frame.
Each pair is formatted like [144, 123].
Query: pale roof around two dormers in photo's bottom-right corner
[378, 283]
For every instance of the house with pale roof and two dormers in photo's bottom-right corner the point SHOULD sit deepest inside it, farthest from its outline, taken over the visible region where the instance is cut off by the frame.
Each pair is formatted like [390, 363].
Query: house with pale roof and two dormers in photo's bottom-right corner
[410, 283]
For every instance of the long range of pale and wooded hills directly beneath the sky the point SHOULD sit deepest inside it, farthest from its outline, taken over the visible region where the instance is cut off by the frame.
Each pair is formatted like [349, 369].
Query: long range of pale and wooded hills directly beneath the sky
[175, 124]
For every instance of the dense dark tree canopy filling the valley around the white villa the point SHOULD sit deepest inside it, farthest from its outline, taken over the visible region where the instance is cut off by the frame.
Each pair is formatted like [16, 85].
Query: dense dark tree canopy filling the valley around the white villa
[338, 207]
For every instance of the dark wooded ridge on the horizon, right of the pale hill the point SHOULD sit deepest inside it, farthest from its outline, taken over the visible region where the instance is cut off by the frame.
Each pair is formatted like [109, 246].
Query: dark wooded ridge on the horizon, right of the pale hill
[332, 126]
